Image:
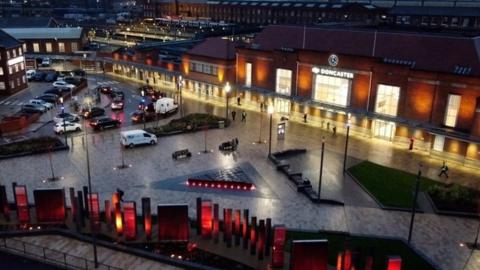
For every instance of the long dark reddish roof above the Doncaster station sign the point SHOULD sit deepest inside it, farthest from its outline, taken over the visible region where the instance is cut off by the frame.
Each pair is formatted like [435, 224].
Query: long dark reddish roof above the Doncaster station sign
[423, 51]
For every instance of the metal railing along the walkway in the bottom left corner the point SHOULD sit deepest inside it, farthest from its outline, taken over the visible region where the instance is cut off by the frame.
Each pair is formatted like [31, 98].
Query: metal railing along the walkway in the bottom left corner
[51, 256]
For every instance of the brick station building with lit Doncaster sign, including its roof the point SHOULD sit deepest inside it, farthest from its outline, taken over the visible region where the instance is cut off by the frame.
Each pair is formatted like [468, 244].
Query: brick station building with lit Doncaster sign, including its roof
[394, 86]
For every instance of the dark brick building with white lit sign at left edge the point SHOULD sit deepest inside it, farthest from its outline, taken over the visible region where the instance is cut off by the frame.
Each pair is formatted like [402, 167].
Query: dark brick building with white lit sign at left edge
[12, 65]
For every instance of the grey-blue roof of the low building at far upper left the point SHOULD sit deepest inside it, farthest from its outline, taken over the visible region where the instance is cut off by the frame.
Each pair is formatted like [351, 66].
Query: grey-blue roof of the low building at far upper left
[45, 33]
